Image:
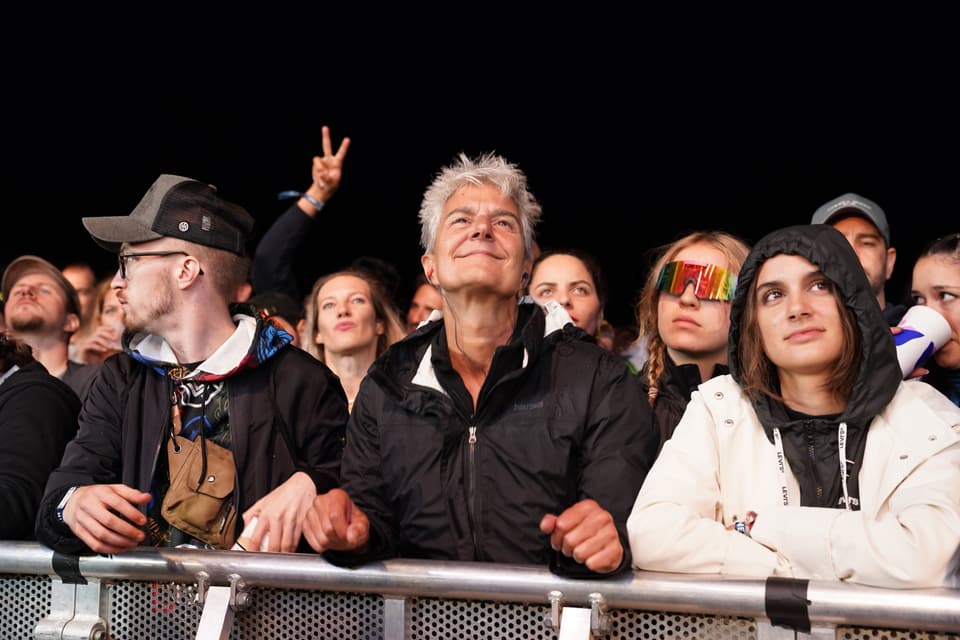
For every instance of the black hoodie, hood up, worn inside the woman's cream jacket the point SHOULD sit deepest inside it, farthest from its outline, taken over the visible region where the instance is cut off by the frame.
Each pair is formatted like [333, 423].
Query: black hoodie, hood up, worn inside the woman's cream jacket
[810, 442]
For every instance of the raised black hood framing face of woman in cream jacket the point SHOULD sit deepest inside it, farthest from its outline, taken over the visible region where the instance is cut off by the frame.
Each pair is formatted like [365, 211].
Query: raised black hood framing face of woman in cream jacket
[827, 248]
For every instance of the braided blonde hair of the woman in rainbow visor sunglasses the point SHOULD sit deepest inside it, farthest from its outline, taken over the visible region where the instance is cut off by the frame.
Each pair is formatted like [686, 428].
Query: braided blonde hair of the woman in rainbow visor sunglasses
[733, 248]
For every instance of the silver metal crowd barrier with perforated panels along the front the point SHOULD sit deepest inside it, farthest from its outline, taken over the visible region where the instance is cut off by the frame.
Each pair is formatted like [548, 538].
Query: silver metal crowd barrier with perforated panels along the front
[152, 594]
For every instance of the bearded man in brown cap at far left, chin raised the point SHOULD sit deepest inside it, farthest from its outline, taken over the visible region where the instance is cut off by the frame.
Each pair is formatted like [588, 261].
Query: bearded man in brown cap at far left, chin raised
[42, 309]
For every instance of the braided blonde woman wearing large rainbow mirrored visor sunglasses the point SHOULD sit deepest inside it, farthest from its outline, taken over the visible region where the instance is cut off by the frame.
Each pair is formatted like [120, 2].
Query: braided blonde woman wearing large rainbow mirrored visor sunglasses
[684, 313]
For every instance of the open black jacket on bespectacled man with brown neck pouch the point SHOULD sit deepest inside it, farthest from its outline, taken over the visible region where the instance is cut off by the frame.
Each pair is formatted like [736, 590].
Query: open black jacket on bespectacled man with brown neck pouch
[286, 414]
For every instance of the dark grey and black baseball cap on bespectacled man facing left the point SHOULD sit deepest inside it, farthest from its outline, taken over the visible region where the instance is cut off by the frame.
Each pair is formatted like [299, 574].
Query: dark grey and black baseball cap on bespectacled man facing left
[177, 207]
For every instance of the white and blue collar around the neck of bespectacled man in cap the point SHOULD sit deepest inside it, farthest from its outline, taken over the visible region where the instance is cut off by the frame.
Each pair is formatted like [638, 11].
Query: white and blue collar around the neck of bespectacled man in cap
[254, 341]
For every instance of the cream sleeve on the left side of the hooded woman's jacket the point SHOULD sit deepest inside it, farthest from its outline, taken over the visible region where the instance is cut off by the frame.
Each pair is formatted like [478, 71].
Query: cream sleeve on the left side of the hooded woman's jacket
[676, 521]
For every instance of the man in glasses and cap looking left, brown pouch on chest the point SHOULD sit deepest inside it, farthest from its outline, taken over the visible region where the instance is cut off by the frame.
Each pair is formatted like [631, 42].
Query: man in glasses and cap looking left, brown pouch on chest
[207, 411]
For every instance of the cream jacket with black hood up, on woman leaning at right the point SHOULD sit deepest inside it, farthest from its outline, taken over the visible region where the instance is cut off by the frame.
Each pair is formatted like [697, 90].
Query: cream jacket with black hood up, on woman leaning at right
[722, 462]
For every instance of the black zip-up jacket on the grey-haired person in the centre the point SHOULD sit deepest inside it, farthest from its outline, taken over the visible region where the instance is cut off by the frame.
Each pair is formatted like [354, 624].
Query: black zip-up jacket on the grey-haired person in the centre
[440, 482]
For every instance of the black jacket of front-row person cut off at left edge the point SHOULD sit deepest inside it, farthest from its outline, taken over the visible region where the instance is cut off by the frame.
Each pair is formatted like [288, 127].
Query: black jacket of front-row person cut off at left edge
[38, 416]
